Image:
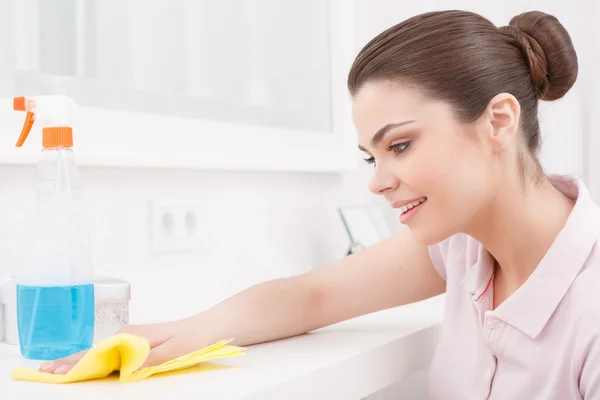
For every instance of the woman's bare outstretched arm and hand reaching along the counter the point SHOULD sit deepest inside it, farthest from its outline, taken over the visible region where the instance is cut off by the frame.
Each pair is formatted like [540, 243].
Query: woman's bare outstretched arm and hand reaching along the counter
[394, 272]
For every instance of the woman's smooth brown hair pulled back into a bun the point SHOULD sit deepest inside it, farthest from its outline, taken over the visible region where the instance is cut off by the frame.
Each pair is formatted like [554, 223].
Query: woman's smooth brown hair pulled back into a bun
[462, 58]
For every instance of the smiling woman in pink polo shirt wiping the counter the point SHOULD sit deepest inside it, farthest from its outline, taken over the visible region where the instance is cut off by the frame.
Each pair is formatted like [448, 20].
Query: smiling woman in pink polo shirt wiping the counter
[445, 105]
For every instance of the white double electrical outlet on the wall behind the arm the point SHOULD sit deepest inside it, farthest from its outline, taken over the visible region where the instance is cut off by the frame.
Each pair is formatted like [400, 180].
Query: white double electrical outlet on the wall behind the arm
[174, 227]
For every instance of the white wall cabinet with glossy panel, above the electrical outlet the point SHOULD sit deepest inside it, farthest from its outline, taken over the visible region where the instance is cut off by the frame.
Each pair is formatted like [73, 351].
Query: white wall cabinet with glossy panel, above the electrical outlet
[250, 84]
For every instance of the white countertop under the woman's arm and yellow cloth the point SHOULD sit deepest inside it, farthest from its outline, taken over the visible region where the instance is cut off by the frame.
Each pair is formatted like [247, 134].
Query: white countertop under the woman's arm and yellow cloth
[349, 360]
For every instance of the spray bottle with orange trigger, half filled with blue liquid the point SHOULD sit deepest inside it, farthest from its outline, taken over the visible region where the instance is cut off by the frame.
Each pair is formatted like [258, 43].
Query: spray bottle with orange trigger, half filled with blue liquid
[55, 291]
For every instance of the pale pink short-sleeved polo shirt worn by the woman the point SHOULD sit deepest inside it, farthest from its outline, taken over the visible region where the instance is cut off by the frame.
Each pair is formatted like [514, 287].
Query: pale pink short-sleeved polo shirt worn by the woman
[543, 342]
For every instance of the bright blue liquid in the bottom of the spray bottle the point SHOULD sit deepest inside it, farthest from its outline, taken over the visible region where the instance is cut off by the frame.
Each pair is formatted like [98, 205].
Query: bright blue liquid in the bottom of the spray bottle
[55, 321]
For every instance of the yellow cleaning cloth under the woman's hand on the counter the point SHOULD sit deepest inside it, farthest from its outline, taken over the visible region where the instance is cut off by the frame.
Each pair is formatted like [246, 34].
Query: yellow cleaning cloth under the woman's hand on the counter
[125, 353]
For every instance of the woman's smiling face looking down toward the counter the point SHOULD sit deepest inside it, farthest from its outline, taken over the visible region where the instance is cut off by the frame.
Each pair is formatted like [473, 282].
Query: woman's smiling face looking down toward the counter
[424, 158]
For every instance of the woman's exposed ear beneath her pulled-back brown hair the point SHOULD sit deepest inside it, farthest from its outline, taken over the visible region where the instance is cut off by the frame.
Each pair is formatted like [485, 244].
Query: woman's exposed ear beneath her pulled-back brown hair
[503, 113]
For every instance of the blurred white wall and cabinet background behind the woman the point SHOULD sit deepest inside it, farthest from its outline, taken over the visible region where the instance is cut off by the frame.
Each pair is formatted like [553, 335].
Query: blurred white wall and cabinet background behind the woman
[234, 113]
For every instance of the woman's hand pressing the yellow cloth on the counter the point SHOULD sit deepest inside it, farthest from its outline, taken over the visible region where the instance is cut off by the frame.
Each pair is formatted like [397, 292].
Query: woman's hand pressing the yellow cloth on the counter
[168, 340]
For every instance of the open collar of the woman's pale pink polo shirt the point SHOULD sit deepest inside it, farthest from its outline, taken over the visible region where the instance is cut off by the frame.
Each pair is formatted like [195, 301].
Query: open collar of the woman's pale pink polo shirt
[531, 306]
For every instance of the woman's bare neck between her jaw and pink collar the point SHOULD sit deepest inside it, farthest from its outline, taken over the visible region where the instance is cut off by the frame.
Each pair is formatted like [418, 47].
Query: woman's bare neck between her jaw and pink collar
[519, 227]
